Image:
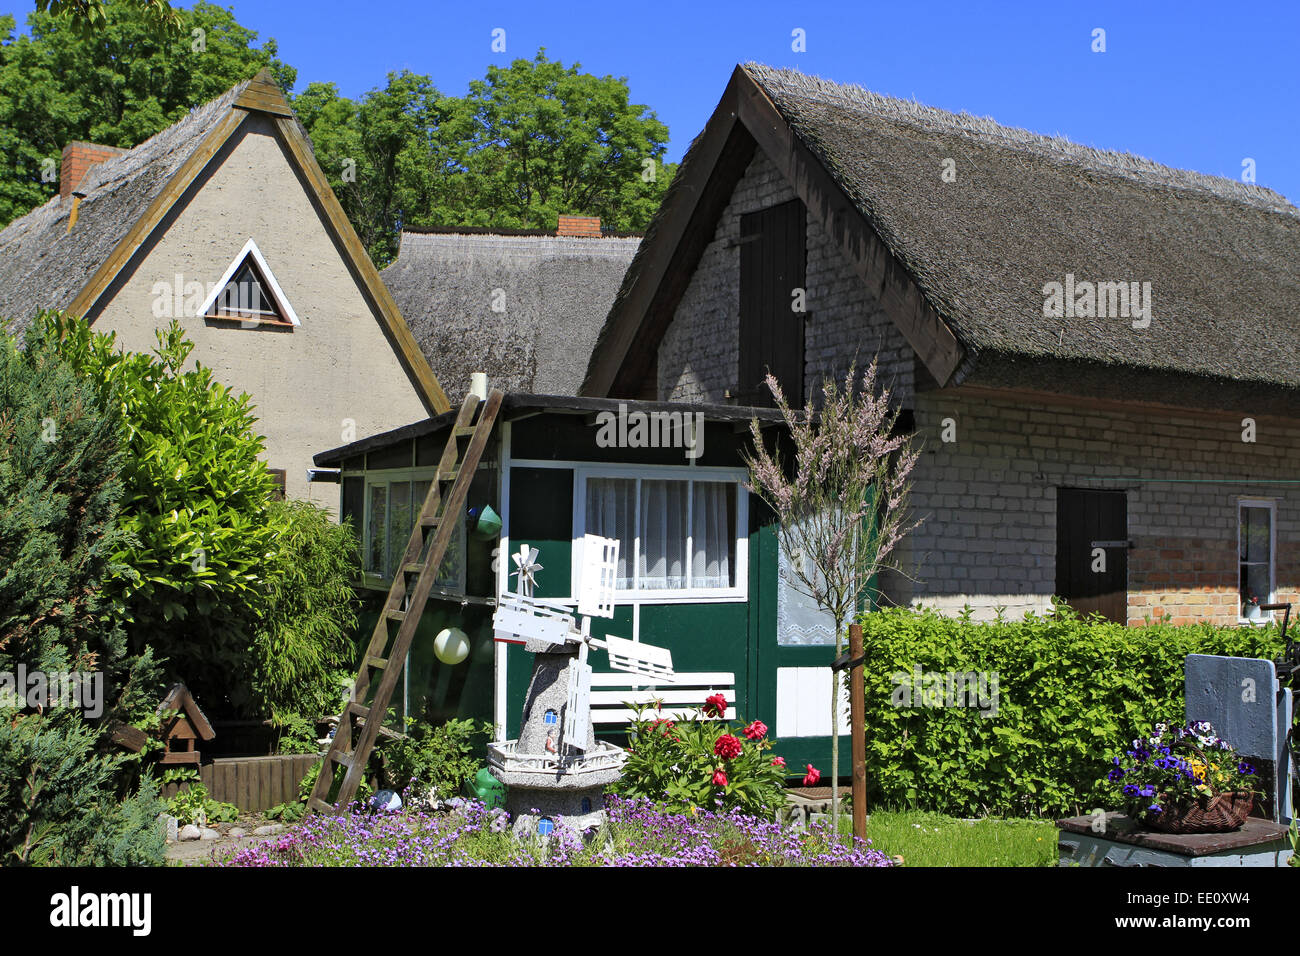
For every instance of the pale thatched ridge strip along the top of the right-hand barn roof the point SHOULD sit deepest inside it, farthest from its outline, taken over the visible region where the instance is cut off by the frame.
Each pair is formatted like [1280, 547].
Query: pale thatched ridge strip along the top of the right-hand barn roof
[983, 128]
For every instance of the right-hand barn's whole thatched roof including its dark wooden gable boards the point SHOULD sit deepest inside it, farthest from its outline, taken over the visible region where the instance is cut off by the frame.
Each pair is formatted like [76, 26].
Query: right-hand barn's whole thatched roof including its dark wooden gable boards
[974, 219]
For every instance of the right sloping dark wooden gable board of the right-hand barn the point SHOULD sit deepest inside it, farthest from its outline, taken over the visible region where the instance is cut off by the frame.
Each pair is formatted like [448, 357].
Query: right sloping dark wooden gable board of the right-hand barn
[925, 331]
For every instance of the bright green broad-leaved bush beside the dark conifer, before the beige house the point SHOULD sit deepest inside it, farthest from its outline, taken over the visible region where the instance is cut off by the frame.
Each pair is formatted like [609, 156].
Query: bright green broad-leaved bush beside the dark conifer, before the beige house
[197, 500]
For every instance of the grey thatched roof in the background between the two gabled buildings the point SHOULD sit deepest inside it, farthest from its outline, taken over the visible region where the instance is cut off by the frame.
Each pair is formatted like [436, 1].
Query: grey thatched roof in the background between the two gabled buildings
[556, 293]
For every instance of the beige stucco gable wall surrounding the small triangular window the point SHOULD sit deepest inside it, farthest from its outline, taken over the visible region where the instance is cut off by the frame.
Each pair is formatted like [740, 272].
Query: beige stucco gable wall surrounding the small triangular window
[333, 379]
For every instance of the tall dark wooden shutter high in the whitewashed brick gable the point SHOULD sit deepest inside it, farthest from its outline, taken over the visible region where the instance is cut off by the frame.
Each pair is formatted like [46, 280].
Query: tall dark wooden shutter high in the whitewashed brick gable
[773, 265]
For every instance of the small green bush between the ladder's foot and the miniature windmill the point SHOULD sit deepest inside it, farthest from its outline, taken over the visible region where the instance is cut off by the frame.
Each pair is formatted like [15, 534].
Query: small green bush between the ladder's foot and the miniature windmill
[441, 758]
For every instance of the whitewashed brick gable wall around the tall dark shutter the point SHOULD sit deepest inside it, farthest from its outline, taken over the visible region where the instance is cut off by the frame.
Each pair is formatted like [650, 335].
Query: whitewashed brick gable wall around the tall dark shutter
[700, 353]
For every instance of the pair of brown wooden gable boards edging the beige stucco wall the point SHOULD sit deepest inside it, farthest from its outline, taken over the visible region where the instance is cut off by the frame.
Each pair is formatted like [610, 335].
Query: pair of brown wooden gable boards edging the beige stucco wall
[263, 96]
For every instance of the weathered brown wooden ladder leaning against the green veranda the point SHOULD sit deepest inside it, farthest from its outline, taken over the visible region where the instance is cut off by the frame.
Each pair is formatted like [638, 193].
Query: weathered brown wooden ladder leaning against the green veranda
[405, 605]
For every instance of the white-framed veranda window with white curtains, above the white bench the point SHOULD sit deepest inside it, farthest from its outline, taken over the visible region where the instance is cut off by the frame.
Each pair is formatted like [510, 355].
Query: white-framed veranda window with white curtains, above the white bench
[679, 538]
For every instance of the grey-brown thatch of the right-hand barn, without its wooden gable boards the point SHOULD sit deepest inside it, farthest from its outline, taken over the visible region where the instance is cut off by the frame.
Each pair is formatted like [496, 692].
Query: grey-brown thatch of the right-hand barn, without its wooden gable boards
[1223, 258]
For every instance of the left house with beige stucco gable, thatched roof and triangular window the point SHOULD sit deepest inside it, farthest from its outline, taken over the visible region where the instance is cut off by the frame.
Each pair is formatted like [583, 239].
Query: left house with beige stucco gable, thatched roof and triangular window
[226, 223]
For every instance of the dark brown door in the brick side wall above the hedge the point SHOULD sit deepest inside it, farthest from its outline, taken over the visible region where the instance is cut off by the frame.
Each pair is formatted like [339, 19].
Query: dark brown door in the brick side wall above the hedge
[1093, 552]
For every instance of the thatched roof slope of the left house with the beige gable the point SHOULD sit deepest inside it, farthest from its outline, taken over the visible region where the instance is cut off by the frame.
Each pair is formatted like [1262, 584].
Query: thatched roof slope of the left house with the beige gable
[45, 266]
